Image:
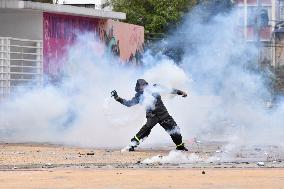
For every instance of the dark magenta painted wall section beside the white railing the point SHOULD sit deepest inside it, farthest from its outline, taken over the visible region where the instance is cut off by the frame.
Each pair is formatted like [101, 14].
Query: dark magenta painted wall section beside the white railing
[59, 32]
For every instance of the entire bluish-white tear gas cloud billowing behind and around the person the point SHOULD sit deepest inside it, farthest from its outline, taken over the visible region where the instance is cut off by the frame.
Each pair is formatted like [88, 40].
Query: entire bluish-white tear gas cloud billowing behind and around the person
[226, 102]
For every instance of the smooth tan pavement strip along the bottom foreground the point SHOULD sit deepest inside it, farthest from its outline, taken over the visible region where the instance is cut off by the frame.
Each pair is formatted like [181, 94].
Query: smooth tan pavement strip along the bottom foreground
[143, 179]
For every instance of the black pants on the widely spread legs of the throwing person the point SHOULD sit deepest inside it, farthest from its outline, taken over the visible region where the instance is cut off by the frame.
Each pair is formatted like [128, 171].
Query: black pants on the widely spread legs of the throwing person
[167, 123]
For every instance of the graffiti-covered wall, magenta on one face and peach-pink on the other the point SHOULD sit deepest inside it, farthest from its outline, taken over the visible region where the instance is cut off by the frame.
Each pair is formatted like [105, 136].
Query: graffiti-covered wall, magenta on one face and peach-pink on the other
[59, 32]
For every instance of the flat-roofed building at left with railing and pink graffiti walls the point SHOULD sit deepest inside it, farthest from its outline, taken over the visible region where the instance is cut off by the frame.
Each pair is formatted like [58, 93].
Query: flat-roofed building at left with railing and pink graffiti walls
[34, 38]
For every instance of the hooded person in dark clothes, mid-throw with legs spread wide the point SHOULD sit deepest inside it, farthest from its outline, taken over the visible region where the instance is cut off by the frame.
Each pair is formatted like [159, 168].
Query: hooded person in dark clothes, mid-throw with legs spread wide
[157, 113]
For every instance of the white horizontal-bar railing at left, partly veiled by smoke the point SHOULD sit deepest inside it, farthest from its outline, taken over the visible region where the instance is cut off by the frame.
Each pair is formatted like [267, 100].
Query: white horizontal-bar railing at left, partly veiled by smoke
[20, 64]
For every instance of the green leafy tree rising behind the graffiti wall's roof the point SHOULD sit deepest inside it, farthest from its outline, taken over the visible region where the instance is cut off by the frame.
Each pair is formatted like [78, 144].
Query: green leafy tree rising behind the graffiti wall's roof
[157, 16]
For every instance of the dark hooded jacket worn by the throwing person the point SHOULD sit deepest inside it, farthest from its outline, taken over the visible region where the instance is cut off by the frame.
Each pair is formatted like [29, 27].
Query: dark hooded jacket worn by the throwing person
[159, 108]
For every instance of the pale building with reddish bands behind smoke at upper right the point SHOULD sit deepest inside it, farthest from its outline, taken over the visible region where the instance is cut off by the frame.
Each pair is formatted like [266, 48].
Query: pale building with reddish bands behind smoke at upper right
[262, 23]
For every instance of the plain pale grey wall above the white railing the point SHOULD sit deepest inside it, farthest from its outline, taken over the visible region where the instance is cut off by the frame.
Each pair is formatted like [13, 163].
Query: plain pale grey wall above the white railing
[21, 24]
